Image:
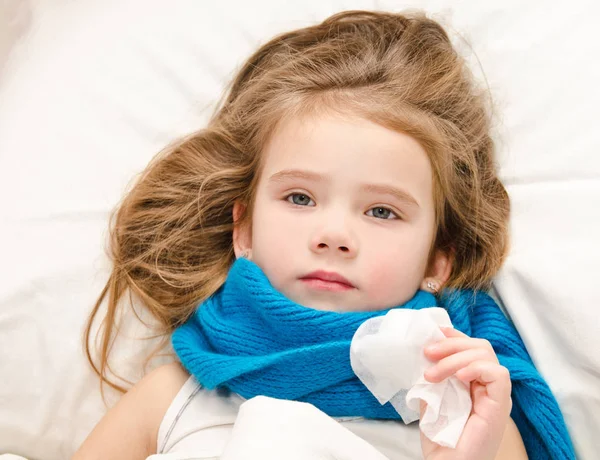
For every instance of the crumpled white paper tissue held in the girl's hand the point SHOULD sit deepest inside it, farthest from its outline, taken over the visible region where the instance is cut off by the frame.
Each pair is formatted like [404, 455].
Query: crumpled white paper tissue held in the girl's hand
[386, 354]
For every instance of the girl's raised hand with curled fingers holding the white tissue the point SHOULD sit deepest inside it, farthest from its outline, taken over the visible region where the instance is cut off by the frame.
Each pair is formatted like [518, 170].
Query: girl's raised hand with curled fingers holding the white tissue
[474, 362]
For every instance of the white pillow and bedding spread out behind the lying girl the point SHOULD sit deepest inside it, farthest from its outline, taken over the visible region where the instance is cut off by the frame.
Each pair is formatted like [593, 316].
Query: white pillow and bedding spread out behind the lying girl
[92, 90]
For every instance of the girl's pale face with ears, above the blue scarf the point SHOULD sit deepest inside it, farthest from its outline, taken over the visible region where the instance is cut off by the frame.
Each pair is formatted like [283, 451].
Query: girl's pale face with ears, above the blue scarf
[343, 198]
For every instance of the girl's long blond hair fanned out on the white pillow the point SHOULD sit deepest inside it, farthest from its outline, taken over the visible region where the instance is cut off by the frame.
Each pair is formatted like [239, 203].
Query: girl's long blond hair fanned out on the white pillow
[171, 236]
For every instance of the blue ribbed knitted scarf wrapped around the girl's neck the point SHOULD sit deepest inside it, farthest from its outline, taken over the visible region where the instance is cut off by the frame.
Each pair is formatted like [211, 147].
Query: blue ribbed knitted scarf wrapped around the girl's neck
[251, 339]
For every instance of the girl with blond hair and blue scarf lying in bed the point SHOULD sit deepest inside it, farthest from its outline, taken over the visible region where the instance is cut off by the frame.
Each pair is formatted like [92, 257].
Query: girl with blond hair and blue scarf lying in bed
[350, 170]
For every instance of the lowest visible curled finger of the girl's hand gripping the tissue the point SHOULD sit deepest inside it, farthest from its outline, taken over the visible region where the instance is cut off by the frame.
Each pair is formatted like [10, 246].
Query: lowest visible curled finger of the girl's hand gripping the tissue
[495, 377]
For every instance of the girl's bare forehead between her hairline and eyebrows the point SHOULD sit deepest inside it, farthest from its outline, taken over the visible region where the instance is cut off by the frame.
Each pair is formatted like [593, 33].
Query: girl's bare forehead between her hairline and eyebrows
[348, 150]
